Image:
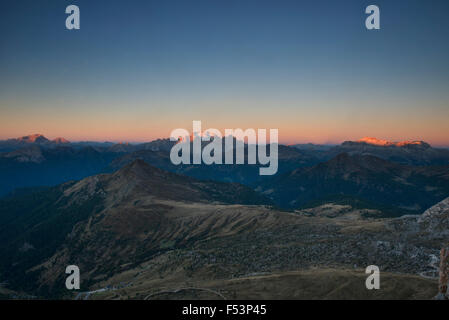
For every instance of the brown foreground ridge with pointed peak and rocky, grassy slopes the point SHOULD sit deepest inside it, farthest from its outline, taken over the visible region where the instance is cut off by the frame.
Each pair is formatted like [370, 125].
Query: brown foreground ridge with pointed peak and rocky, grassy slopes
[143, 231]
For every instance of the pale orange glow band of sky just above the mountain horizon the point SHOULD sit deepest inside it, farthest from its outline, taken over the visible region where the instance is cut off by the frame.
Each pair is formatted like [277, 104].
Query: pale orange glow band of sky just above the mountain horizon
[311, 125]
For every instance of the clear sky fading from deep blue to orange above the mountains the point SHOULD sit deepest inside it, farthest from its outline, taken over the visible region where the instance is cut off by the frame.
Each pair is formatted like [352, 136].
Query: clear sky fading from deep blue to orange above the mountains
[136, 70]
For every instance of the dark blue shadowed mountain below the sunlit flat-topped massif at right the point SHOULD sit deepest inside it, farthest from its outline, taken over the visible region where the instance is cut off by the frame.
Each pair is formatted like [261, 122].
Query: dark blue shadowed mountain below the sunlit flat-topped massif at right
[364, 178]
